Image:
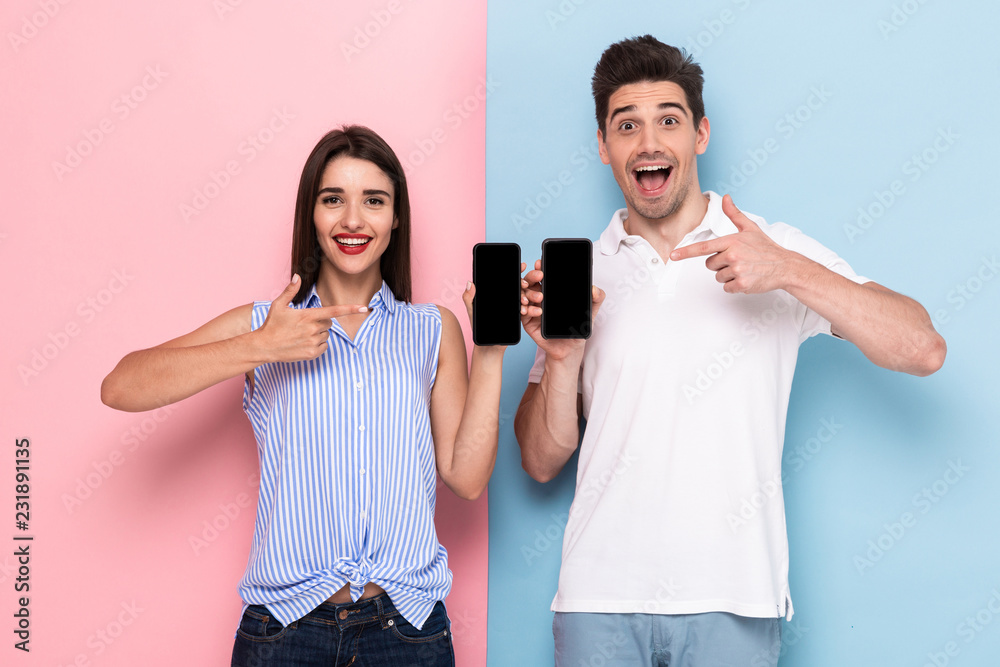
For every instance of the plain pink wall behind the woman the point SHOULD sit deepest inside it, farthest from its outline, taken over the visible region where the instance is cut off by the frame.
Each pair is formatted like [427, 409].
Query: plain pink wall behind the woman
[99, 259]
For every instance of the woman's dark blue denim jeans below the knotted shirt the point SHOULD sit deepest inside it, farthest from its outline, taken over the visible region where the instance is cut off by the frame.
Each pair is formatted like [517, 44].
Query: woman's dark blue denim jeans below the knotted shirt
[360, 634]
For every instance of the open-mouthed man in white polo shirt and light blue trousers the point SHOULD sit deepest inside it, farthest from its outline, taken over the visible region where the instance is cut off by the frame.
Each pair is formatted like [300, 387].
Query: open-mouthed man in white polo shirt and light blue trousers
[684, 386]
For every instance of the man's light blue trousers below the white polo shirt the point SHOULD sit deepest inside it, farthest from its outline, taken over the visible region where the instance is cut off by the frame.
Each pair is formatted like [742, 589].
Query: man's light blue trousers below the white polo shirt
[714, 639]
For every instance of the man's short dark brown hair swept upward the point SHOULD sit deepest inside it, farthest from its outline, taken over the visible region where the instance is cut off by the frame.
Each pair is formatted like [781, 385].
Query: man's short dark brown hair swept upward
[641, 59]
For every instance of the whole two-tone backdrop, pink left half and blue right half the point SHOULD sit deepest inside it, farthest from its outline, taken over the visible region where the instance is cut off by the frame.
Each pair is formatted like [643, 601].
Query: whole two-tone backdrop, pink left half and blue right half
[151, 155]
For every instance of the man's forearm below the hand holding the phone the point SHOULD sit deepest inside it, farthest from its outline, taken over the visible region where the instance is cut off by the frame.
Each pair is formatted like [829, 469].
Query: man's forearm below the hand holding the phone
[547, 424]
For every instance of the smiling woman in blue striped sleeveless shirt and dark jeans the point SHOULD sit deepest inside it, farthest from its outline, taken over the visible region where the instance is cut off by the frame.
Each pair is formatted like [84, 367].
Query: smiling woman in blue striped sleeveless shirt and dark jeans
[358, 400]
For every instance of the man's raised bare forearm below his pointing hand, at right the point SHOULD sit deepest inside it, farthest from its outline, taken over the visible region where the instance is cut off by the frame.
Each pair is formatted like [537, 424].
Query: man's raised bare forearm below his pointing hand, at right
[892, 330]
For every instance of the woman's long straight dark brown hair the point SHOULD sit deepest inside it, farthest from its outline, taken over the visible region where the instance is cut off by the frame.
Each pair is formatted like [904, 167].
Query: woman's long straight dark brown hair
[359, 142]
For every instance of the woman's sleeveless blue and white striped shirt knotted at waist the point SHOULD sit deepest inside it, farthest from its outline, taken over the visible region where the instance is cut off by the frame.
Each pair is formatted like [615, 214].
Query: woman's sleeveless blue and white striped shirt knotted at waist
[347, 471]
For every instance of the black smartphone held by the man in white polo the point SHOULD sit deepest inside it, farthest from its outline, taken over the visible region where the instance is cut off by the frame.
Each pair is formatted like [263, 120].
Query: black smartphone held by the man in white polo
[567, 274]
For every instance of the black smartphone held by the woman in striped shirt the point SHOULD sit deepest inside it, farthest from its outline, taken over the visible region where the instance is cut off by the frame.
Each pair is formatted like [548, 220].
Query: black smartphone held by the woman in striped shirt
[496, 308]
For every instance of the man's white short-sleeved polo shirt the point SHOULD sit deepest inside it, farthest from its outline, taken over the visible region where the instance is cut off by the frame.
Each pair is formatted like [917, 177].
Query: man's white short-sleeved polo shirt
[678, 506]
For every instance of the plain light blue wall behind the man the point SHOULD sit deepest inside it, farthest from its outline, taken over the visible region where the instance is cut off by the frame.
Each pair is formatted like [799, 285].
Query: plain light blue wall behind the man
[894, 76]
